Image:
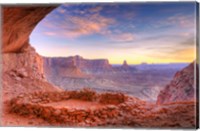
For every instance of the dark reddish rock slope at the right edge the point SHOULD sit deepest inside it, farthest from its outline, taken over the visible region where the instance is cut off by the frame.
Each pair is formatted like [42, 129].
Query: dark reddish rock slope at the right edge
[181, 88]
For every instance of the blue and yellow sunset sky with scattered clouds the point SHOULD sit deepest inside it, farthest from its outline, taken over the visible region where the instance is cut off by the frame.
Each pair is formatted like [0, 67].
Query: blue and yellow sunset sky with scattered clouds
[135, 32]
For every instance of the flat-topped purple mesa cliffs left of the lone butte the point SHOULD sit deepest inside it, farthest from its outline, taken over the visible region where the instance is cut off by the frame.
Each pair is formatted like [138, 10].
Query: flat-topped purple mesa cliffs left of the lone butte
[76, 62]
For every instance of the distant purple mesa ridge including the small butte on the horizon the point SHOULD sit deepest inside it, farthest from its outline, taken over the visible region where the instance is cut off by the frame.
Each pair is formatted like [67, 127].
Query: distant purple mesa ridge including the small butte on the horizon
[84, 65]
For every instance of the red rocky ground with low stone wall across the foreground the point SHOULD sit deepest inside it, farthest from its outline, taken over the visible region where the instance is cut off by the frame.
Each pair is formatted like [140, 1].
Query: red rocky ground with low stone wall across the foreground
[127, 114]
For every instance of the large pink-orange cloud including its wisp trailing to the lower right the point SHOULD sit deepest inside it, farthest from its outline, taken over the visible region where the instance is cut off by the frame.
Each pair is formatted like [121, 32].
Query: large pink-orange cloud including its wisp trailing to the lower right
[76, 26]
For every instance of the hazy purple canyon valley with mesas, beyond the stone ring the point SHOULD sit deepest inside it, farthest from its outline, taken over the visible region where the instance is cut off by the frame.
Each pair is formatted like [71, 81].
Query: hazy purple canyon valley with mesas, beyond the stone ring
[75, 72]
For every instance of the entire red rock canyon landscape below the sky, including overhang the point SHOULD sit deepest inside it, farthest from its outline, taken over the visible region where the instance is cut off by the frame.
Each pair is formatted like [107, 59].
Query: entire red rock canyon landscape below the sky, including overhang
[38, 91]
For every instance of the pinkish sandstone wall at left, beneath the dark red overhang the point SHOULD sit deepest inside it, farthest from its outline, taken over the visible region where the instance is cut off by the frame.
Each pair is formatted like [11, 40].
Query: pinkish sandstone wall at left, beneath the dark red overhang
[23, 72]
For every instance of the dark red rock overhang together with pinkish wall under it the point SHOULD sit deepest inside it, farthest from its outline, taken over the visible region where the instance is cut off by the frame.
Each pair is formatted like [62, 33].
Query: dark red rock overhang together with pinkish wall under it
[22, 66]
